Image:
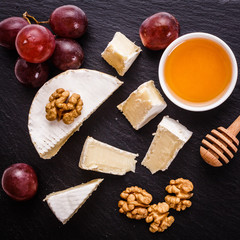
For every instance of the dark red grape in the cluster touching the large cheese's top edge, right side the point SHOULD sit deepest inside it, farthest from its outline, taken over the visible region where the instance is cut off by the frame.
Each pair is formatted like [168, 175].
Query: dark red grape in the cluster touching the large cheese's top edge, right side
[68, 54]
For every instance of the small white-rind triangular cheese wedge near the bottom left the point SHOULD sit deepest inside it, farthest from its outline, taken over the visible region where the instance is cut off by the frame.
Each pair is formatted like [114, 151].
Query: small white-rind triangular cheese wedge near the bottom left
[66, 203]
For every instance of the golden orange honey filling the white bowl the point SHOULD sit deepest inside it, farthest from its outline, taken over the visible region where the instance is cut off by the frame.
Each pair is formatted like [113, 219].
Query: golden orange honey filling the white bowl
[198, 71]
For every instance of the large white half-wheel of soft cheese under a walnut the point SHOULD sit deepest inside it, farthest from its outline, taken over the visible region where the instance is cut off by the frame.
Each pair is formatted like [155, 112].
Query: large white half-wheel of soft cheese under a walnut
[94, 88]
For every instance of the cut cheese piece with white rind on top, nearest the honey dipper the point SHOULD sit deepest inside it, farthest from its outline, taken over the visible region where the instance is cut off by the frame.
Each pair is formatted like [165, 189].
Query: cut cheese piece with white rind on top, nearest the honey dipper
[168, 140]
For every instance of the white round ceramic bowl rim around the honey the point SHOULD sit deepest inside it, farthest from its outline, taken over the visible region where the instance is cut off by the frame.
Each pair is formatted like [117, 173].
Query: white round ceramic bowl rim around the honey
[189, 106]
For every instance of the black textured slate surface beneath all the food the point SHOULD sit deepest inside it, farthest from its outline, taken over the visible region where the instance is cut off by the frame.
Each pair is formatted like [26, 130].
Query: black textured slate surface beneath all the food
[215, 213]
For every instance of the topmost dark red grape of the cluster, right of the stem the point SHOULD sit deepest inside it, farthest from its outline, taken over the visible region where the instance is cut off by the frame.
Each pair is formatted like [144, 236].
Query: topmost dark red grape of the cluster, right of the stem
[68, 21]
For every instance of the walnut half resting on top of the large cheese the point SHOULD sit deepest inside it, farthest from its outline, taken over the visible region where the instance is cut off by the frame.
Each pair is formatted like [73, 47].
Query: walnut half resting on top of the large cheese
[58, 107]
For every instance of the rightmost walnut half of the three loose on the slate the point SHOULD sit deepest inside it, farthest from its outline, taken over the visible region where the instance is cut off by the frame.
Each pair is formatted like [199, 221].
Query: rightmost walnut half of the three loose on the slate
[182, 189]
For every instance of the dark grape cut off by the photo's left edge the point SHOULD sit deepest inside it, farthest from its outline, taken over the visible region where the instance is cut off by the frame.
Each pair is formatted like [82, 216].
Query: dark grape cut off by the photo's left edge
[9, 29]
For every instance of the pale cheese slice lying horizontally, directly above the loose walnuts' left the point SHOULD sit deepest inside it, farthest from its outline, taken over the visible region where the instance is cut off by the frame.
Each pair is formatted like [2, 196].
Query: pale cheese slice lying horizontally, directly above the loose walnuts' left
[101, 157]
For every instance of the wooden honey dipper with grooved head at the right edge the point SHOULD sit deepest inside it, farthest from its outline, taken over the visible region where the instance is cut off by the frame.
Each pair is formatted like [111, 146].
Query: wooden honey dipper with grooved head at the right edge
[219, 147]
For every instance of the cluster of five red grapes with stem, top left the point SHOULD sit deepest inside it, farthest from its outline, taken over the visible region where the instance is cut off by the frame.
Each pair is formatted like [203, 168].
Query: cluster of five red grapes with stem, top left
[36, 44]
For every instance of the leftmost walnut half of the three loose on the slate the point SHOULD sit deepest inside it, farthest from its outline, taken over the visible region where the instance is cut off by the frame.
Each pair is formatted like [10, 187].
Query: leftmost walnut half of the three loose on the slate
[137, 201]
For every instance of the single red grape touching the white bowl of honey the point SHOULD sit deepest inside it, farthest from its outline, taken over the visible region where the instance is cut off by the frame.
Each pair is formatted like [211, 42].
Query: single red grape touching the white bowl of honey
[159, 30]
